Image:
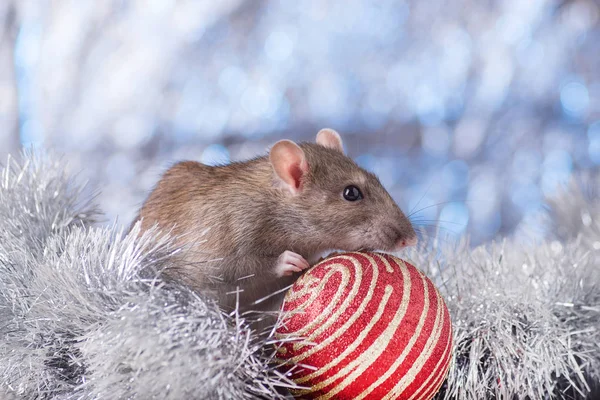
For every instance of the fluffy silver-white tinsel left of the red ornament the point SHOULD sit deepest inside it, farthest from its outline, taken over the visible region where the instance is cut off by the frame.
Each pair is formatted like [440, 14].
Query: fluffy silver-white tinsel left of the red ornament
[83, 313]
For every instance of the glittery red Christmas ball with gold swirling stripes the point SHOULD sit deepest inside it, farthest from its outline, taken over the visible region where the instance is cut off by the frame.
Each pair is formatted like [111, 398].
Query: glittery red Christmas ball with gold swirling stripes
[373, 327]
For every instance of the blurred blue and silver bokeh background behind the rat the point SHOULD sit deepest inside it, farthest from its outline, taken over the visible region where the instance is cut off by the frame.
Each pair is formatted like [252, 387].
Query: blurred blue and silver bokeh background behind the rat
[469, 111]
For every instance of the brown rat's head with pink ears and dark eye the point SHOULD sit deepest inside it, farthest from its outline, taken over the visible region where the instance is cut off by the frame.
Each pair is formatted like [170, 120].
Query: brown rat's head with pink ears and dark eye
[338, 204]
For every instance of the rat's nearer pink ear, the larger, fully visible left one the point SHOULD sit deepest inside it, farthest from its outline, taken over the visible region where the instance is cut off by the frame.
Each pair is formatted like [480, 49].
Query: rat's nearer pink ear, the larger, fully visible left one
[289, 162]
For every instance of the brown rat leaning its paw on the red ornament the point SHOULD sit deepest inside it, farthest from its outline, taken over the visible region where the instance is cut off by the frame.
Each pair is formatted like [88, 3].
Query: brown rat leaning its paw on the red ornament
[248, 229]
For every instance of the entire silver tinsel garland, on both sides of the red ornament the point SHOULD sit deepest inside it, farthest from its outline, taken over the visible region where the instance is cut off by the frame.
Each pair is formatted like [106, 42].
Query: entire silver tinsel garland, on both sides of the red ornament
[84, 313]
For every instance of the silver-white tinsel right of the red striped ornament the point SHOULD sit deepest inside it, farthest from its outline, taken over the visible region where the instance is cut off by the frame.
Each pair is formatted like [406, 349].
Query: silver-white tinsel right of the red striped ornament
[526, 317]
